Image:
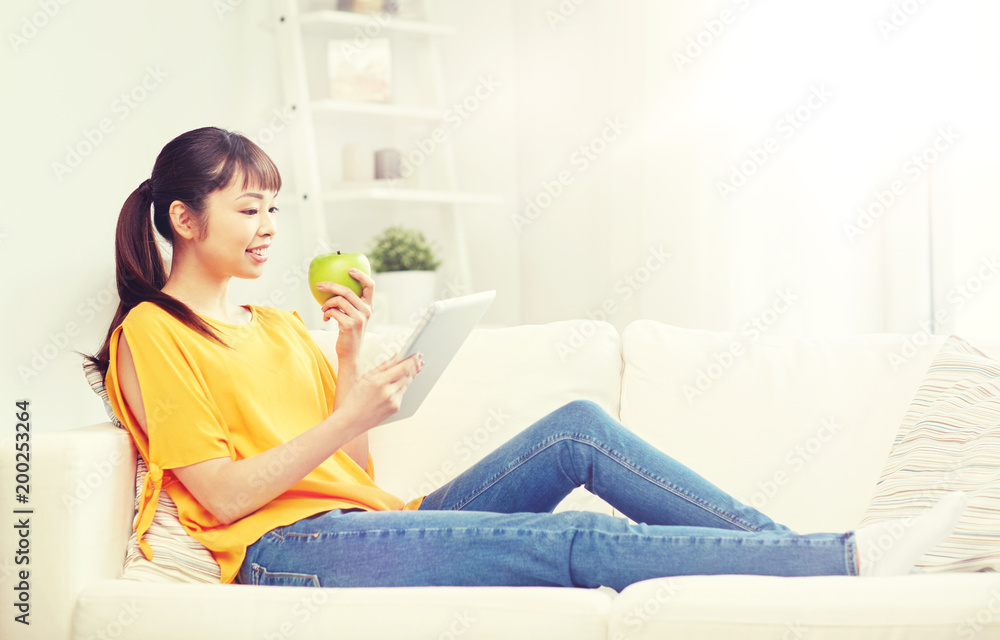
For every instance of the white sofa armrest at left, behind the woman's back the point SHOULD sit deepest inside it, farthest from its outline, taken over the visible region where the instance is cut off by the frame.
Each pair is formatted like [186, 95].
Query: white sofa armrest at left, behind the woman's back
[82, 488]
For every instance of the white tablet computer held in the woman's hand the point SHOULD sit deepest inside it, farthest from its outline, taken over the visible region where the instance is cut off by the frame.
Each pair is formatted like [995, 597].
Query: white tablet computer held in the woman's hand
[441, 332]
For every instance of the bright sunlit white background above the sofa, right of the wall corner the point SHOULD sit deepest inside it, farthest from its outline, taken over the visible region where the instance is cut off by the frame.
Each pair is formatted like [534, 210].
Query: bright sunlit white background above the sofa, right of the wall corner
[874, 85]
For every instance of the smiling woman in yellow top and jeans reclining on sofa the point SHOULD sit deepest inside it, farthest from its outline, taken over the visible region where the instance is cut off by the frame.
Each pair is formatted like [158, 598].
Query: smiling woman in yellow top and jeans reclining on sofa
[264, 449]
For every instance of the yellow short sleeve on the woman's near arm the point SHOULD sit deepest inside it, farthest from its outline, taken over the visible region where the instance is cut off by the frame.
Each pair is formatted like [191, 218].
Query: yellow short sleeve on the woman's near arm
[184, 423]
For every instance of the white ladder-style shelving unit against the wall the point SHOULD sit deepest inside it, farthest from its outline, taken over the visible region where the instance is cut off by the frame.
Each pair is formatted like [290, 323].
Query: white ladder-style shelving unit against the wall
[319, 193]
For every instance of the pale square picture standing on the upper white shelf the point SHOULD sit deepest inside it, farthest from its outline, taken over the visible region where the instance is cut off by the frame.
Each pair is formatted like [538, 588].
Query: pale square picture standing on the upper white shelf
[360, 74]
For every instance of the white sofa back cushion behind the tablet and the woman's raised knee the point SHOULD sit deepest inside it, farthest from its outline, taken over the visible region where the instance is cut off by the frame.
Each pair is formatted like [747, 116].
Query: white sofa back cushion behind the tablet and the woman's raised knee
[501, 381]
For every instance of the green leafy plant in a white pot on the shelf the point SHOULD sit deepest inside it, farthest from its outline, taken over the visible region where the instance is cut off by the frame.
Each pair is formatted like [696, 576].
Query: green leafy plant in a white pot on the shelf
[405, 272]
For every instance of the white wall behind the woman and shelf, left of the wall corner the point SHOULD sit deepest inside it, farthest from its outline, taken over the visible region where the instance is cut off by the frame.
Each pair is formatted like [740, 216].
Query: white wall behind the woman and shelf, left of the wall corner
[201, 67]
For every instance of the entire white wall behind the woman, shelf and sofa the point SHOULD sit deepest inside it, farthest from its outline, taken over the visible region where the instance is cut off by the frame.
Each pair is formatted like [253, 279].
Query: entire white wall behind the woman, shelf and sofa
[590, 251]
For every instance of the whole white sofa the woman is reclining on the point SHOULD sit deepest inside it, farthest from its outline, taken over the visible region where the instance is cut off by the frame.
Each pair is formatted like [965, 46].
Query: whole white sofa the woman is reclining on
[799, 428]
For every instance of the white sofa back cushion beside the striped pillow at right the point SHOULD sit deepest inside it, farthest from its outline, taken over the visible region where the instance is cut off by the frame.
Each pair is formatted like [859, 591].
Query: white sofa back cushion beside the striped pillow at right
[799, 428]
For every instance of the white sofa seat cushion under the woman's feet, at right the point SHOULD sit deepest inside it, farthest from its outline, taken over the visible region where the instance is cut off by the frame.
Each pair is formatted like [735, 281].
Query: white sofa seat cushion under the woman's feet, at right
[915, 607]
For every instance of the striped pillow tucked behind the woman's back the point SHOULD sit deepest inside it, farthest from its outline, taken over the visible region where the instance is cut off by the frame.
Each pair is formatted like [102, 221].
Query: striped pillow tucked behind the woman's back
[177, 557]
